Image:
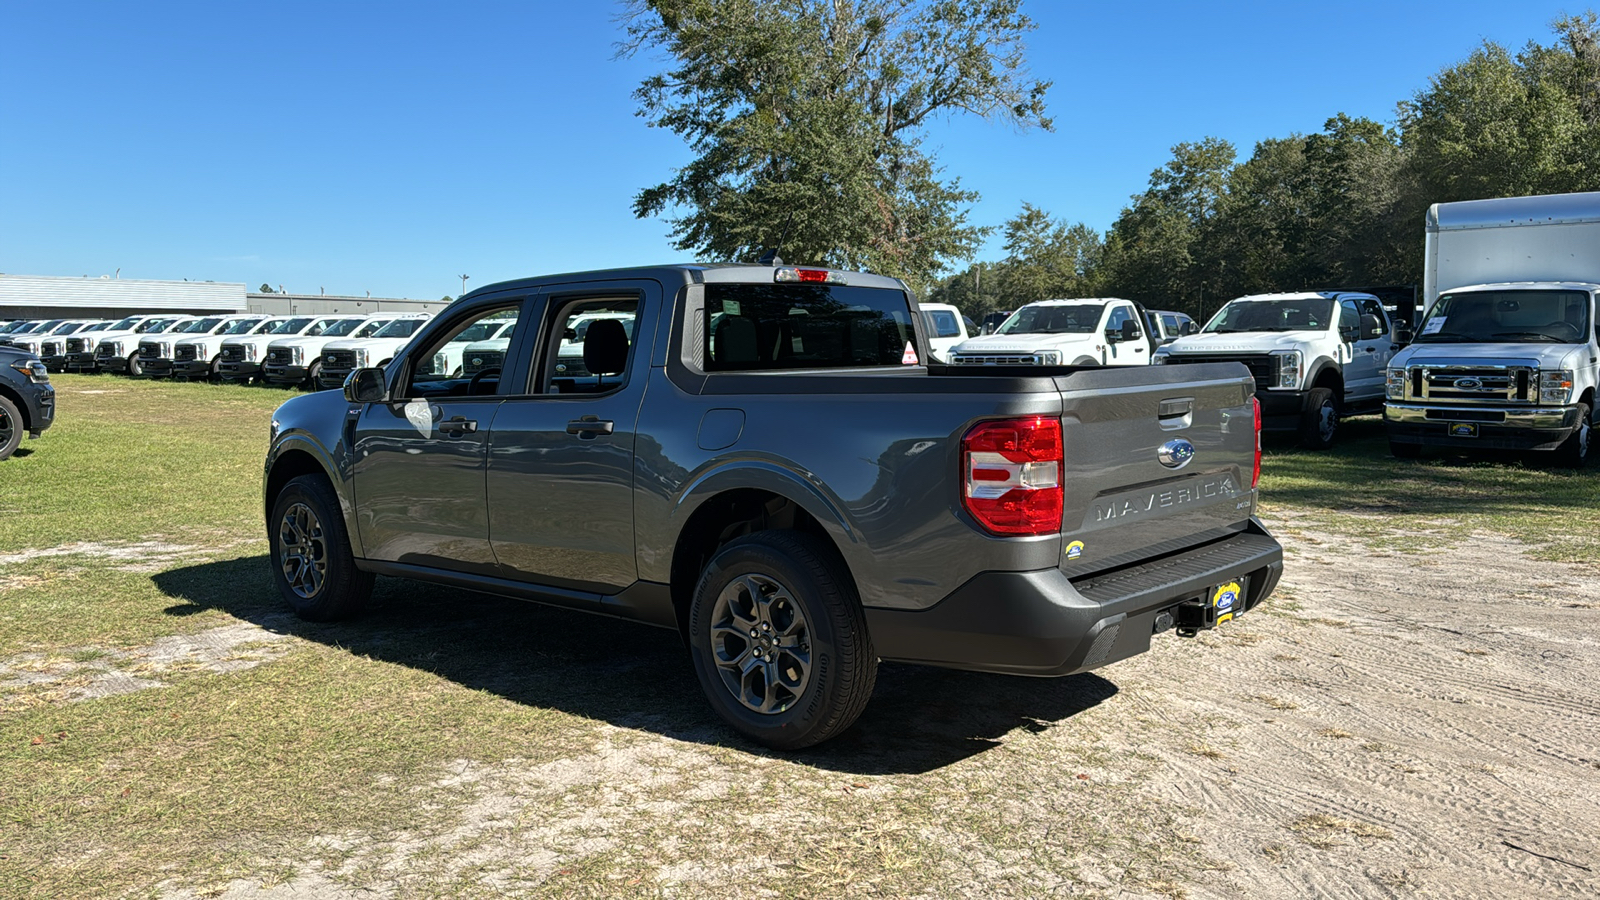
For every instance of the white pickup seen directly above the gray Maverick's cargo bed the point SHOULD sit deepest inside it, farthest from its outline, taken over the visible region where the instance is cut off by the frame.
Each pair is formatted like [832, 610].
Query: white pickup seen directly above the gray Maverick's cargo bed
[1065, 332]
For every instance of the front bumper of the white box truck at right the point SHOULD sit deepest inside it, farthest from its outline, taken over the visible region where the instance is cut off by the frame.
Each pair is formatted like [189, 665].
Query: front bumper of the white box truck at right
[1494, 428]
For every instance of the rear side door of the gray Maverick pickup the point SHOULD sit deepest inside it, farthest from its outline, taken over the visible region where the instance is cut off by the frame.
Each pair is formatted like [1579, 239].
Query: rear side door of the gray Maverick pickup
[561, 467]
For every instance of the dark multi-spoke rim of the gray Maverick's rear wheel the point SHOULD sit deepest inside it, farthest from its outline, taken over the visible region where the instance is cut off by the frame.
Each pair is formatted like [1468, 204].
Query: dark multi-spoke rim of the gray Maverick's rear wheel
[761, 645]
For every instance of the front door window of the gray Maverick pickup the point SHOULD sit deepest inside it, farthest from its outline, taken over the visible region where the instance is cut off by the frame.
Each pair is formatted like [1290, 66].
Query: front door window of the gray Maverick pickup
[466, 360]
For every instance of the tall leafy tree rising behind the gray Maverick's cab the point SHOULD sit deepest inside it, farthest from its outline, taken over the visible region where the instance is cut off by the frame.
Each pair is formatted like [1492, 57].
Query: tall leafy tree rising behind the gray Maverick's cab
[807, 121]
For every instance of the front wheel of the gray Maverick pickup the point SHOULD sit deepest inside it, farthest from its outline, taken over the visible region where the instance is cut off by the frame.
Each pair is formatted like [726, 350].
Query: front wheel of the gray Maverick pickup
[311, 553]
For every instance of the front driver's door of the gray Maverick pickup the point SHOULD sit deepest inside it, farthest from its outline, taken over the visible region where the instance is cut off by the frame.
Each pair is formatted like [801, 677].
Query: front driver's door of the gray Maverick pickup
[422, 457]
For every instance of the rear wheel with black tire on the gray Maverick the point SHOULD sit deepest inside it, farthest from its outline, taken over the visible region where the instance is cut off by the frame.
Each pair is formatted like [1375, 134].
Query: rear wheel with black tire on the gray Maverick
[780, 641]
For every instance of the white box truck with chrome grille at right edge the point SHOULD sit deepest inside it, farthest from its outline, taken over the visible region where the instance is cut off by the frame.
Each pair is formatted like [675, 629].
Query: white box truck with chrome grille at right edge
[1506, 356]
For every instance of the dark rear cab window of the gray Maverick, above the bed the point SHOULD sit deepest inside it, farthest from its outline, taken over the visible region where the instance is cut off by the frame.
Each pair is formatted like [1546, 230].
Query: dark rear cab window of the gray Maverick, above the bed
[772, 327]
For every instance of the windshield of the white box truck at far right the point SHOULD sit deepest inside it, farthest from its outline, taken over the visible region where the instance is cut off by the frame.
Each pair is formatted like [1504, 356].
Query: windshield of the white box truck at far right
[1508, 316]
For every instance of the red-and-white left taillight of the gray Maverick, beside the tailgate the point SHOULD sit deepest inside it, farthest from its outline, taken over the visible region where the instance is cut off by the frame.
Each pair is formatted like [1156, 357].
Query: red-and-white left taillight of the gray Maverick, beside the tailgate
[1012, 475]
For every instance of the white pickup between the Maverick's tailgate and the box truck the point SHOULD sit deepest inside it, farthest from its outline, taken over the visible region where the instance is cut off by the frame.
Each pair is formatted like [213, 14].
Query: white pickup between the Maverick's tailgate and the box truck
[1318, 356]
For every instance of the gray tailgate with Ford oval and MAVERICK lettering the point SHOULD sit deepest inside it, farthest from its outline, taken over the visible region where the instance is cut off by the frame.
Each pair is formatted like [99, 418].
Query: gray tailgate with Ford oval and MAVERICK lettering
[1126, 499]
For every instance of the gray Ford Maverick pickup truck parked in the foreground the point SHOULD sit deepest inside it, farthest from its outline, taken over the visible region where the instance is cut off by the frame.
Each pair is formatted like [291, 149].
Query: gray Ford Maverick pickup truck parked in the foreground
[762, 464]
